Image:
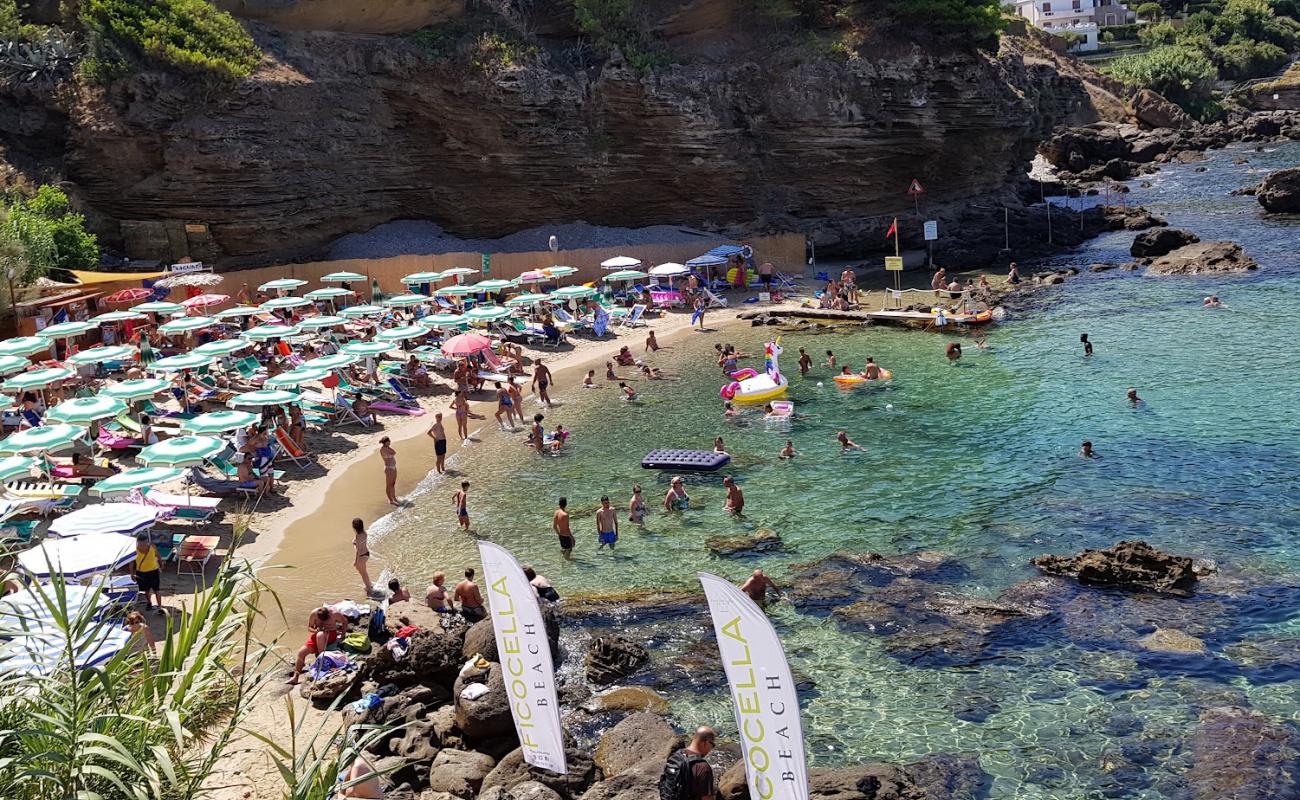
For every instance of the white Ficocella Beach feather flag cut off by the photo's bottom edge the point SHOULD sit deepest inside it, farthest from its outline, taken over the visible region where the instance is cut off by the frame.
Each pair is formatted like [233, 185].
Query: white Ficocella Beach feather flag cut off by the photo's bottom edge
[764, 695]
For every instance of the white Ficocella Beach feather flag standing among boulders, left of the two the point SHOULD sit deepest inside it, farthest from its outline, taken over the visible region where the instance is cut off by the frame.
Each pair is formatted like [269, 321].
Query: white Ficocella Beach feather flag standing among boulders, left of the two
[526, 659]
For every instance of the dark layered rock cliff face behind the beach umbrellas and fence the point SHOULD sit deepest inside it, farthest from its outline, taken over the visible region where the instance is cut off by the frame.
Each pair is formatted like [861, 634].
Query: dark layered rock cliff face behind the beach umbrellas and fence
[340, 132]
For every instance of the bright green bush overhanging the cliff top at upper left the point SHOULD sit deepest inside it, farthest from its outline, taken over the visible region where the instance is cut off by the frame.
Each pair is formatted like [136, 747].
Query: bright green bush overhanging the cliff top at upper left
[192, 36]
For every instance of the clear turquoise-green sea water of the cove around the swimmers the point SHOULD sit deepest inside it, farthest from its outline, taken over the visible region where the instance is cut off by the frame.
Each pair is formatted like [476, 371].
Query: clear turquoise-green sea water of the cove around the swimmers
[977, 460]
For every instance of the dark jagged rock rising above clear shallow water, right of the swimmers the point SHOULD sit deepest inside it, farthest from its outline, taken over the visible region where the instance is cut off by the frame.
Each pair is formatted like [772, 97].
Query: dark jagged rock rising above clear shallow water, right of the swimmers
[1129, 565]
